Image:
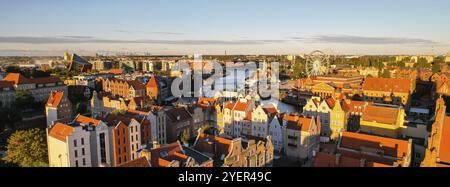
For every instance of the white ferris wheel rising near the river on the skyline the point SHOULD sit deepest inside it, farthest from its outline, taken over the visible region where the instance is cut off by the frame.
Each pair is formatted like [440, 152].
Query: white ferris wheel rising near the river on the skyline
[317, 63]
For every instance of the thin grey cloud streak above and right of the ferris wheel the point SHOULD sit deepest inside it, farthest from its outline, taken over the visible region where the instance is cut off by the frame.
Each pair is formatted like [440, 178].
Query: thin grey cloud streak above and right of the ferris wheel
[363, 40]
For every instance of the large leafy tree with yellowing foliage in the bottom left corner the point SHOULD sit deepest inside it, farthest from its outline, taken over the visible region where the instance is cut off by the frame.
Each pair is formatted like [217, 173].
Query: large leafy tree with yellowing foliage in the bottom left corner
[27, 148]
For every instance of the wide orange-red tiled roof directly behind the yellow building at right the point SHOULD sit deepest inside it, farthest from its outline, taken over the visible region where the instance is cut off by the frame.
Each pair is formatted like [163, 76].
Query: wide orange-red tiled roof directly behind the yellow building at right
[387, 84]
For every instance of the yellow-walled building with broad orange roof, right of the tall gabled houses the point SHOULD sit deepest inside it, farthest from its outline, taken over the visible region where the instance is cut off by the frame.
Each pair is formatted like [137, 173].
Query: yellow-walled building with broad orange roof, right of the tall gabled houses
[383, 120]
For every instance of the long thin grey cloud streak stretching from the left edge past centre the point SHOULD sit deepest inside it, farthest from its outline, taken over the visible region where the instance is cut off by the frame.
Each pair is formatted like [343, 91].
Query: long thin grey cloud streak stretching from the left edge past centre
[87, 39]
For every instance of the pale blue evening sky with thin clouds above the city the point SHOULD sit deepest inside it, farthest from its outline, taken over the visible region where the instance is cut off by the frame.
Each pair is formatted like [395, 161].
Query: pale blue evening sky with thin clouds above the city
[353, 27]
